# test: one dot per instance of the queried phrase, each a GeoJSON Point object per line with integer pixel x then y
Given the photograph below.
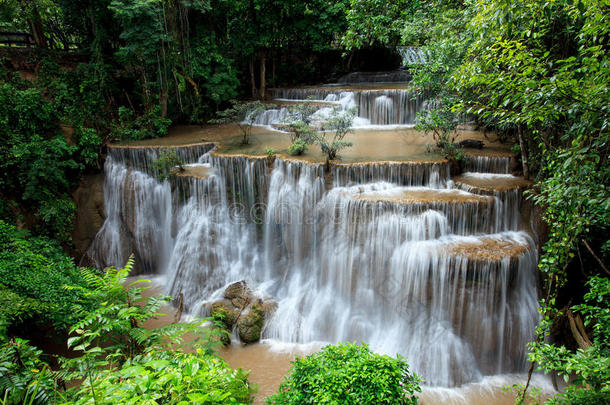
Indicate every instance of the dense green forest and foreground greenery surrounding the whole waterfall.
{"type": "Point", "coordinates": [536, 73]}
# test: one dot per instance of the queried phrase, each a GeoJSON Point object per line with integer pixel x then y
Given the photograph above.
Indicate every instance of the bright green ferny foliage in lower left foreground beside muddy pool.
{"type": "Point", "coordinates": [124, 362]}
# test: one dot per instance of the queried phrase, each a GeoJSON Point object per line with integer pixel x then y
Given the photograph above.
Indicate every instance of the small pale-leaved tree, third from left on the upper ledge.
{"type": "Point", "coordinates": [339, 125]}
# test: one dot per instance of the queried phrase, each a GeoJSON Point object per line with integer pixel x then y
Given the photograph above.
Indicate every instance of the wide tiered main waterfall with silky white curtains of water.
{"type": "Point", "coordinates": [395, 254]}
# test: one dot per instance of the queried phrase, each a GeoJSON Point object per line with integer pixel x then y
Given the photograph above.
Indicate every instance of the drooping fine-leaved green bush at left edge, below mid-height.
{"type": "Point", "coordinates": [33, 275]}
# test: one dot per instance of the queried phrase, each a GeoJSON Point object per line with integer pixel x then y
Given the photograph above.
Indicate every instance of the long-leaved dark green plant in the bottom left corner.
{"type": "Point", "coordinates": [24, 377]}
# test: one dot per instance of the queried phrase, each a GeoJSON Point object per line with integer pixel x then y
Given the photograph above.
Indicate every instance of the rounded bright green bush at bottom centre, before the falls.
{"type": "Point", "coordinates": [348, 374]}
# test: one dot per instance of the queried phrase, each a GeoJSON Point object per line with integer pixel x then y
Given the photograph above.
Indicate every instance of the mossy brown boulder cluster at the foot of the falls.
{"type": "Point", "coordinates": [241, 309]}
